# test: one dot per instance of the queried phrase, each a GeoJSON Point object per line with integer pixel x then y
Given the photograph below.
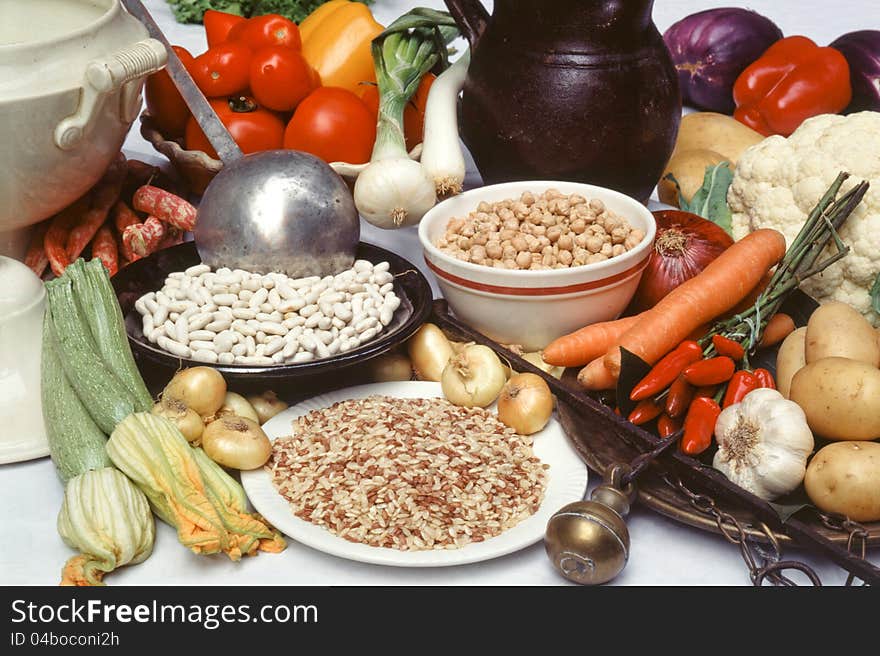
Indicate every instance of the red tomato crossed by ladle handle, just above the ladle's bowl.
{"type": "Point", "coordinates": [253, 128]}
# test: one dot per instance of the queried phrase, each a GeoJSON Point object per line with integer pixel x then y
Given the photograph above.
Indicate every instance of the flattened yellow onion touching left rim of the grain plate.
{"type": "Point", "coordinates": [236, 442]}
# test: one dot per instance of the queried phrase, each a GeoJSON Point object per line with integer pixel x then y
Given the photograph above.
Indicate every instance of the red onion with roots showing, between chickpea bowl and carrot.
{"type": "Point", "coordinates": [684, 245]}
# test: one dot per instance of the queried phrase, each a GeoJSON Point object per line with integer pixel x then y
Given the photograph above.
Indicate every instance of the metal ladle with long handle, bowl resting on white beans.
{"type": "Point", "coordinates": [278, 210]}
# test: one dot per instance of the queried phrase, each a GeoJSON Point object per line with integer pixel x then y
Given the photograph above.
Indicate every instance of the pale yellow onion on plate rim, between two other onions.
{"type": "Point", "coordinates": [473, 377]}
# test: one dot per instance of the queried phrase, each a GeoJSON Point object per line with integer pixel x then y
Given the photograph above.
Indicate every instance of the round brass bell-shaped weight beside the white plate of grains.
{"type": "Point", "coordinates": [587, 541]}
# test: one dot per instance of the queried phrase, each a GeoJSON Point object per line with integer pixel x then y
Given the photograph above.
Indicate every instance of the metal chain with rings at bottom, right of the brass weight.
{"type": "Point", "coordinates": [771, 565]}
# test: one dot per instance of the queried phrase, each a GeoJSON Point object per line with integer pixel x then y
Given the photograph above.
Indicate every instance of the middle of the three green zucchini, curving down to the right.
{"type": "Point", "coordinates": [107, 400]}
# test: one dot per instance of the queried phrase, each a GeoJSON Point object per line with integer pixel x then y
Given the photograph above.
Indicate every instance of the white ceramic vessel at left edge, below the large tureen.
{"type": "Point", "coordinates": [22, 303]}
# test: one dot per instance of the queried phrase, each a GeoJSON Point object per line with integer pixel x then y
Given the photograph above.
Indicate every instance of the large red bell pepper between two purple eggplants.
{"type": "Point", "coordinates": [792, 81]}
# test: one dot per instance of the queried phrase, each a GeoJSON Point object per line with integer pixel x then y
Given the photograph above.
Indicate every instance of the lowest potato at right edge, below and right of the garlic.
{"type": "Point", "coordinates": [845, 478]}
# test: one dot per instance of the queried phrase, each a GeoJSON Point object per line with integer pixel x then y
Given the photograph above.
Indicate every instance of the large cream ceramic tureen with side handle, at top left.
{"type": "Point", "coordinates": [71, 74]}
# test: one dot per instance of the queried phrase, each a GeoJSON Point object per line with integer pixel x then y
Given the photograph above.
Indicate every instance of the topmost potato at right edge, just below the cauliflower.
{"type": "Point", "coordinates": [837, 330]}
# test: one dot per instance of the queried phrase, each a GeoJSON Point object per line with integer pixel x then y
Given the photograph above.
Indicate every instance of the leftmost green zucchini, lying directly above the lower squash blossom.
{"type": "Point", "coordinates": [76, 444]}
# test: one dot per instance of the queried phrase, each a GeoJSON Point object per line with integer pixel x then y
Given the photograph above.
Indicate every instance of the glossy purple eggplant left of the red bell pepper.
{"type": "Point", "coordinates": [711, 48]}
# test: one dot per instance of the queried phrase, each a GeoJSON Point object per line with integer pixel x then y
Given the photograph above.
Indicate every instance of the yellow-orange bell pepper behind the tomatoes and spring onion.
{"type": "Point", "coordinates": [336, 42]}
